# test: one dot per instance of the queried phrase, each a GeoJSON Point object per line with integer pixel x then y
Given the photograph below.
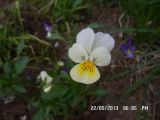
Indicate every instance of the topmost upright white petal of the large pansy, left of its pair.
{"type": "Point", "coordinates": [86, 38]}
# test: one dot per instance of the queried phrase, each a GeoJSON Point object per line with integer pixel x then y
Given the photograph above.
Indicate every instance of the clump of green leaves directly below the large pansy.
{"type": "Point", "coordinates": [64, 96]}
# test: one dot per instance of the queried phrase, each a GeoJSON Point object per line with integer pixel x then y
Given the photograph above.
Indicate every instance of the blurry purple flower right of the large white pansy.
{"type": "Point", "coordinates": [128, 48]}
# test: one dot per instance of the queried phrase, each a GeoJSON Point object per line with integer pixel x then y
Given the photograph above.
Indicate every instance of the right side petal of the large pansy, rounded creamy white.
{"type": "Point", "coordinates": [100, 56]}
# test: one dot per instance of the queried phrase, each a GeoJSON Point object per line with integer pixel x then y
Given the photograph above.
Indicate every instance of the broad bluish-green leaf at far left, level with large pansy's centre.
{"type": "Point", "coordinates": [21, 63]}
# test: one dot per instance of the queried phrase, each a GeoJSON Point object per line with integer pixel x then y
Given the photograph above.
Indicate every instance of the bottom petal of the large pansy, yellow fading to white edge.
{"type": "Point", "coordinates": [80, 75]}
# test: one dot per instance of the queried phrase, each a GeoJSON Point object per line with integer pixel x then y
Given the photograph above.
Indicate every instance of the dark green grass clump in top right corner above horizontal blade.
{"type": "Point", "coordinates": [143, 11]}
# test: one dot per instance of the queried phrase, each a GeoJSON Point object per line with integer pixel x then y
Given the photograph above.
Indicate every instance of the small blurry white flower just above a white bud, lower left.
{"type": "Point", "coordinates": [45, 77]}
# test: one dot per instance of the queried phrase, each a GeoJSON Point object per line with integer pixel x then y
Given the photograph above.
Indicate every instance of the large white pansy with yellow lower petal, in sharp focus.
{"type": "Point", "coordinates": [90, 50]}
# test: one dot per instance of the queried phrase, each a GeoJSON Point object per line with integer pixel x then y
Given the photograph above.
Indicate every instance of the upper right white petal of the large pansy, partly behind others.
{"type": "Point", "coordinates": [103, 40]}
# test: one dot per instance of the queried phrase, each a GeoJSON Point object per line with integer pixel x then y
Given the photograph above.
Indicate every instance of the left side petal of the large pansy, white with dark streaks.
{"type": "Point", "coordinates": [77, 53]}
